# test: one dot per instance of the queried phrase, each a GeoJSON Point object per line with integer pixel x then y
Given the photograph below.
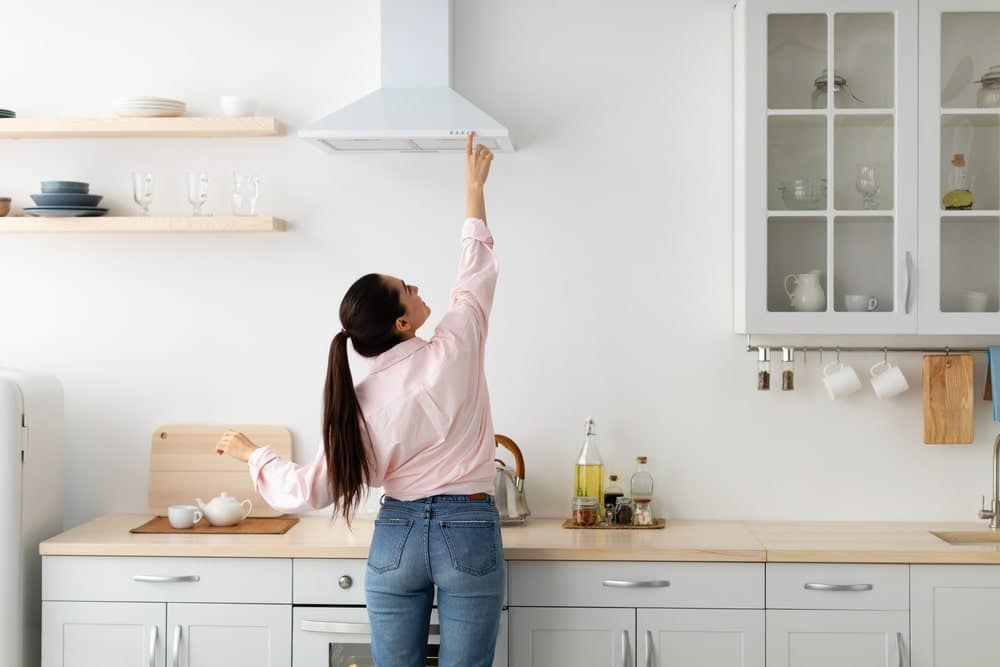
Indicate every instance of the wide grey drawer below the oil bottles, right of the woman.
{"type": "Point", "coordinates": [631, 584]}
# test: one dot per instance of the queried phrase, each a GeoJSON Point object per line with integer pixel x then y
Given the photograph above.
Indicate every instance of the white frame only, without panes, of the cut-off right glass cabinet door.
{"type": "Point", "coordinates": [932, 319]}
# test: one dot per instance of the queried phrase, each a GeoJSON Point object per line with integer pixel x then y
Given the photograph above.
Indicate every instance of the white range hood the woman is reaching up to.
{"type": "Point", "coordinates": [416, 109]}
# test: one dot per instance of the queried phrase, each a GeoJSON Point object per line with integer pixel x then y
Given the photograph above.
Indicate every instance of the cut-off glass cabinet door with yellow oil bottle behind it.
{"type": "Point", "coordinates": [960, 166]}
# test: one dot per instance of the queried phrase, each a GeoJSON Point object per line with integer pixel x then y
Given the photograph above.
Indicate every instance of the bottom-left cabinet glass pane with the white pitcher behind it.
{"type": "Point", "coordinates": [796, 248]}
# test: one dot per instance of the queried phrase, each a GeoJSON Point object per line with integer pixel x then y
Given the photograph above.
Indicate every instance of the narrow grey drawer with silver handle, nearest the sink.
{"type": "Point", "coordinates": [837, 586]}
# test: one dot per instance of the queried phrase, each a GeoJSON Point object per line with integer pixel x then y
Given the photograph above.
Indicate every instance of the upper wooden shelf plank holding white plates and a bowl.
{"type": "Point", "coordinates": [183, 126]}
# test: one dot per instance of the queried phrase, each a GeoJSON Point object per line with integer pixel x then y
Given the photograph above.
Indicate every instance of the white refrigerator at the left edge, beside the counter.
{"type": "Point", "coordinates": [31, 505]}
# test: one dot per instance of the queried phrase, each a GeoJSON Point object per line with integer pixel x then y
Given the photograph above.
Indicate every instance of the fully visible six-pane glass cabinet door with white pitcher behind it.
{"type": "Point", "coordinates": [830, 130]}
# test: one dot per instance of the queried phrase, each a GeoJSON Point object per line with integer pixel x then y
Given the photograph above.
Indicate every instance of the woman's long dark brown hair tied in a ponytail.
{"type": "Point", "coordinates": [368, 314]}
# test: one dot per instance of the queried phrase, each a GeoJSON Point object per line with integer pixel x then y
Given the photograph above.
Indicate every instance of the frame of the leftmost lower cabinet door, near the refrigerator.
{"type": "Point", "coordinates": [152, 616]}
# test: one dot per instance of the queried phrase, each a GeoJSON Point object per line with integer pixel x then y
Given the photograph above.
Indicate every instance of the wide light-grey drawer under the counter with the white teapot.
{"type": "Point", "coordinates": [127, 579]}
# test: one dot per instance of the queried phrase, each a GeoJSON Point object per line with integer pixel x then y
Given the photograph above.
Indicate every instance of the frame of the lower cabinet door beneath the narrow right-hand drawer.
{"type": "Point", "coordinates": [894, 624]}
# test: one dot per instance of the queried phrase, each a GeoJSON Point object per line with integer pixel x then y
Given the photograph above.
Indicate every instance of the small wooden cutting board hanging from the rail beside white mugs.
{"type": "Point", "coordinates": [948, 402]}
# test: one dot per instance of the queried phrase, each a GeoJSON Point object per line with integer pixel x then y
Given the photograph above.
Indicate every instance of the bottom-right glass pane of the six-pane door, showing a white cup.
{"type": "Point", "coordinates": [863, 264]}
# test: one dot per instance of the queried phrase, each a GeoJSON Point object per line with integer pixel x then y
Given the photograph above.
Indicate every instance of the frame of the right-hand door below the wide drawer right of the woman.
{"type": "Point", "coordinates": [748, 622]}
